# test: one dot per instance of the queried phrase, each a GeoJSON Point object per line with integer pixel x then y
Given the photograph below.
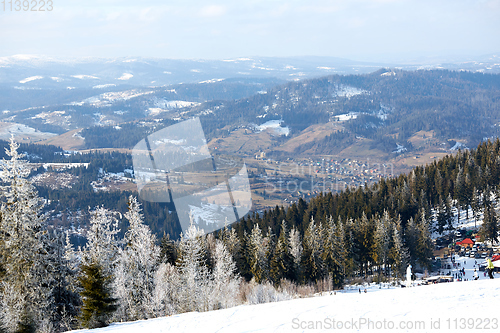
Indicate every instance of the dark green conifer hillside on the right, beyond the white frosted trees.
{"type": "Point", "coordinates": [388, 223]}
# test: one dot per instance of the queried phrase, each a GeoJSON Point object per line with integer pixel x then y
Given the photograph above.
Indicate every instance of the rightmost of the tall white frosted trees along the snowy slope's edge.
{"type": "Point", "coordinates": [225, 284]}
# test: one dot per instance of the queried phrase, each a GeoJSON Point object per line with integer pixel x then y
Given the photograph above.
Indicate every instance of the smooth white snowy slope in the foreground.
{"type": "Point", "coordinates": [450, 304]}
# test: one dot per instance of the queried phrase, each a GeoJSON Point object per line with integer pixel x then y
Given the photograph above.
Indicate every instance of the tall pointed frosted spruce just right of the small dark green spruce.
{"type": "Point", "coordinates": [134, 273]}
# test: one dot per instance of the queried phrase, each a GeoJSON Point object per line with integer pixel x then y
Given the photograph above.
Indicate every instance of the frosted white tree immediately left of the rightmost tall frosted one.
{"type": "Point", "coordinates": [194, 277]}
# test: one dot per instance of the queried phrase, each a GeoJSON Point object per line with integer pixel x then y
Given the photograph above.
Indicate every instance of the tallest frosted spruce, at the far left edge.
{"type": "Point", "coordinates": [23, 258]}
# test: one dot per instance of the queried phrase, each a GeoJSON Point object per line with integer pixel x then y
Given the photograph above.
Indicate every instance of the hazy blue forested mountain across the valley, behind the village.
{"type": "Point", "coordinates": [389, 106]}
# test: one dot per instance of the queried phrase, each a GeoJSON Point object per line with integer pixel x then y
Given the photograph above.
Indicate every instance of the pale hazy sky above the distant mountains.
{"type": "Point", "coordinates": [355, 29]}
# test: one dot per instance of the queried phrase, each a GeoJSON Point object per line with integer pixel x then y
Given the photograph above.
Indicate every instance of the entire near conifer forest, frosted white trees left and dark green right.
{"type": "Point", "coordinates": [371, 232]}
